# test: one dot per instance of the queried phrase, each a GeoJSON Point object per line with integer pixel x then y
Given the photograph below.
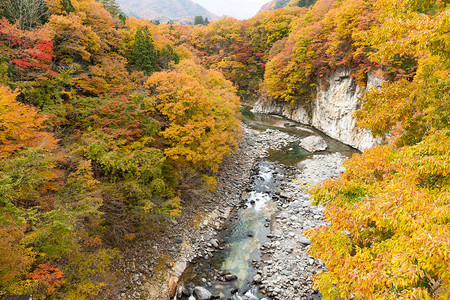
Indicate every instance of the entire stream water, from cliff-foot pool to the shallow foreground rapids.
{"type": "Point", "coordinates": [248, 230]}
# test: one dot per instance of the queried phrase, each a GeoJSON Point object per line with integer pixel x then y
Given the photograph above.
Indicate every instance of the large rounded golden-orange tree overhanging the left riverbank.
{"type": "Point", "coordinates": [201, 107]}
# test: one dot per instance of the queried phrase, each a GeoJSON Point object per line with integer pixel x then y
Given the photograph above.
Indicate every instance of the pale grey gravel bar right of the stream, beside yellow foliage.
{"type": "Point", "coordinates": [285, 270]}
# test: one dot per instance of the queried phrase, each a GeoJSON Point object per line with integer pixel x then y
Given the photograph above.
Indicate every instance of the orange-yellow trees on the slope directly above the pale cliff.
{"type": "Point", "coordinates": [325, 37]}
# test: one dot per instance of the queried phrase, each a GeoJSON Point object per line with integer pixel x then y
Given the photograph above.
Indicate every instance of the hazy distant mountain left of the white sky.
{"type": "Point", "coordinates": [183, 11]}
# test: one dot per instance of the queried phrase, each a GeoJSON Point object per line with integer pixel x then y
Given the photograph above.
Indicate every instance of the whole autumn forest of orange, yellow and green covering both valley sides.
{"type": "Point", "coordinates": [108, 121]}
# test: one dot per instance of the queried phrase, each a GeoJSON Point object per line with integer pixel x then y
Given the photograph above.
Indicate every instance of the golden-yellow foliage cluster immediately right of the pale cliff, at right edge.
{"type": "Point", "coordinates": [411, 107]}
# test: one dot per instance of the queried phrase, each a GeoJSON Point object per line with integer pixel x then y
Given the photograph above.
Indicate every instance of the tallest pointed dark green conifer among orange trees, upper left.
{"type": "Point", "coordinates": [144, 55]}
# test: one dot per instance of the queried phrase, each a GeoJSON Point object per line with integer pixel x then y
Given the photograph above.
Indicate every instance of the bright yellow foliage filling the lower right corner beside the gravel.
{"type": "Point", "coordinates": [398, 231]}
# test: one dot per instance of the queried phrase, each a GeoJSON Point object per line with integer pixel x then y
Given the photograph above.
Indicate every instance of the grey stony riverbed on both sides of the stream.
{"type": "Point", "coordinates": [283, 269]}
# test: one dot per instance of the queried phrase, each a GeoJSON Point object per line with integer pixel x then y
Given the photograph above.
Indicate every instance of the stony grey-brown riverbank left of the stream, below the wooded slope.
{"type": "Point", "coordinates": [152, 268]}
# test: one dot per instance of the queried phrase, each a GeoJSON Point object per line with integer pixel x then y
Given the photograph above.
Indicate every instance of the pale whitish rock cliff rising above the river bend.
{"type": "Point", "coordinates": [331, 109]}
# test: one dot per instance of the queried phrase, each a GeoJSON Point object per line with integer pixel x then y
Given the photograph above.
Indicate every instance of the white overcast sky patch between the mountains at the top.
{"type": "Point", "coordinates": [241, 9]}
